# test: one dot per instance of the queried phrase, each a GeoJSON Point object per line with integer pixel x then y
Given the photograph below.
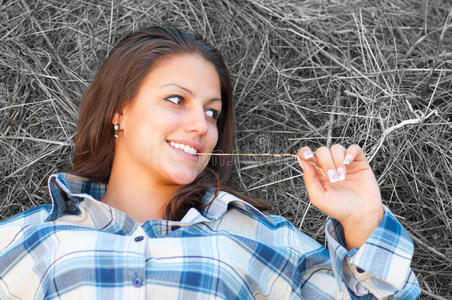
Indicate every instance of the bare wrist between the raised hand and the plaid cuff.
{"type": "Point", "coordinates": [358, 230]}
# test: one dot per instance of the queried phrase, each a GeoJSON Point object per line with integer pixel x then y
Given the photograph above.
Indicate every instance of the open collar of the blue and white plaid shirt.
{"type": "Point", "coordinates": [66, 190]}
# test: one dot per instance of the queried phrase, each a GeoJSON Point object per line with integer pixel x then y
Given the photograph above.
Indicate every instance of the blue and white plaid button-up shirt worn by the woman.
{"type": "Point", "coordinates": [81, 248]}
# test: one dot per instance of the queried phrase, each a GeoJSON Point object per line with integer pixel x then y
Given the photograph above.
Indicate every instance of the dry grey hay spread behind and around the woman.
{"type": "Point", "coordinates": [375, 73]}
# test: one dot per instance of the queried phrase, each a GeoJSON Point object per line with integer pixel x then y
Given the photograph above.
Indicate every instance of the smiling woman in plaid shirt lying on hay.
{"type": "Point", "coordinates": [143, 214]}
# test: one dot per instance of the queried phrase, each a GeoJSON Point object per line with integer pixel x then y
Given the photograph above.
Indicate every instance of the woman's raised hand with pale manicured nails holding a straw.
{"type": "Point", "coordinates": [350, 195]}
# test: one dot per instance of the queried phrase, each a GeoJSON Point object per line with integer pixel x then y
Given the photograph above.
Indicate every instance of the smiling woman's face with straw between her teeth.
{"type": "Point", "coordinates": [176, 106]}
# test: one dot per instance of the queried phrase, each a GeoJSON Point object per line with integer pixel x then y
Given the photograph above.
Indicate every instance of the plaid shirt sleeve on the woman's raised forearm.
{"type": "Point", "coordinates": [380, 268]}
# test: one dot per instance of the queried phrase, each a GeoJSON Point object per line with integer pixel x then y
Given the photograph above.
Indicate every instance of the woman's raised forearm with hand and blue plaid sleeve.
{"type": "Point", "coordinates": [369, 249]}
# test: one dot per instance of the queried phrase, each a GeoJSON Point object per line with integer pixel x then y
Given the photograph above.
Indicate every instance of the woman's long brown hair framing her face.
{"type": "Point", "coordinates": [117, 83]}
